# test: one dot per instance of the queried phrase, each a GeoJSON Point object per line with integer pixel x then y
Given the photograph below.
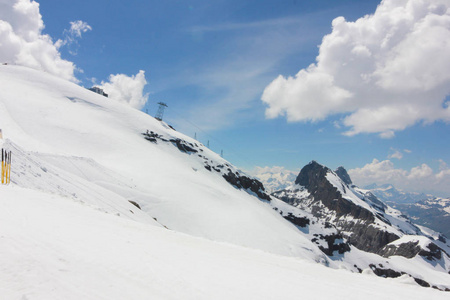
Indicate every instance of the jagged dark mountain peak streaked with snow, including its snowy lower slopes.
{"type": "Point", "coordinates": [367, 224]}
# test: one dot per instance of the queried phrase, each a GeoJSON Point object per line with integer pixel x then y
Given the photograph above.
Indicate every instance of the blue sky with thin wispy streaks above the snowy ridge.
{"type": "Point", "coordinates": [211, 62]}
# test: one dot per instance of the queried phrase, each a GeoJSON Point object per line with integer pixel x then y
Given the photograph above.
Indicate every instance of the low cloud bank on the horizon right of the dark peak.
{"type": "Point", "coordinates": [420, 178]}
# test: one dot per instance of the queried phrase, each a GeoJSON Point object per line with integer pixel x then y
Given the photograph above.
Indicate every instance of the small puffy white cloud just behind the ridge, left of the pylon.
{"type": "Point", "coordinates": [127, 89]}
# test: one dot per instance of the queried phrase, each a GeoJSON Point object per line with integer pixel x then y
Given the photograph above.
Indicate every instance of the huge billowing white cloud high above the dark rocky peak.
{"type": "Point", "coordinates": [383, 72]}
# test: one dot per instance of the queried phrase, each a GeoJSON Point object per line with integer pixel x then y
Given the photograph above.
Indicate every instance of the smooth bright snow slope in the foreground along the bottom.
{"type": "Point", "coordinates": [52, 248]}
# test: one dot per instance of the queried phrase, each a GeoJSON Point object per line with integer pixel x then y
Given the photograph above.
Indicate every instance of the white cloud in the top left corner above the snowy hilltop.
{"type": "Point", "coordinates": [23, 43]}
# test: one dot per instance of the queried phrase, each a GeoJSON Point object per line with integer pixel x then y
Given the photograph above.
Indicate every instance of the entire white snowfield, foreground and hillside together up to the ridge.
{"type": "Point", "coordinates": [69, 229]}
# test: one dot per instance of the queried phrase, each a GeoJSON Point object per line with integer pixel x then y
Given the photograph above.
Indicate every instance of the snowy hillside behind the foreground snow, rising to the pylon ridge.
{"type": "Point", "coordinates": [70, 141]}
